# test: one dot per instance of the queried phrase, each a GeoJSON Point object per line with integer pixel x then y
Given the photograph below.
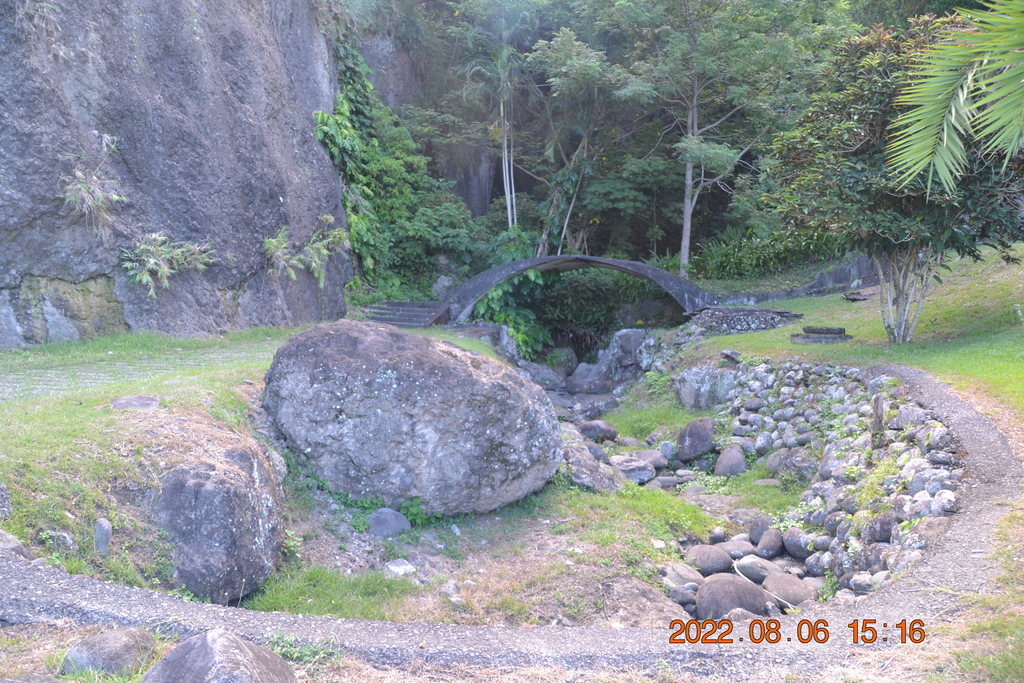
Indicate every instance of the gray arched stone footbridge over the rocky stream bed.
{"type": "Point", "coordinates": [461, 300]}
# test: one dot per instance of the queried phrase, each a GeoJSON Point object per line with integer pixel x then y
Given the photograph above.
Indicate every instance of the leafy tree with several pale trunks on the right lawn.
{"type": "Point", "coordinates": [833, 176]}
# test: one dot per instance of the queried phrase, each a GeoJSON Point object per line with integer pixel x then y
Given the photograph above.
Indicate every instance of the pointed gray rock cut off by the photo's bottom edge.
{"type": "Point", "coordinates": [221, 657]}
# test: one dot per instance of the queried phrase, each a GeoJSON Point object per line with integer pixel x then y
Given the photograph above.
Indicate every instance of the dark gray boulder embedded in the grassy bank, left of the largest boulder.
{"type": "Point", "coordinates": [225, 520]}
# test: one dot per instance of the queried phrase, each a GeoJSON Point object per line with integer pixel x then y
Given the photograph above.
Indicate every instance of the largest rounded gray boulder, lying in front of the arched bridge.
{"type": "Point", "coordinates": [376, 411]}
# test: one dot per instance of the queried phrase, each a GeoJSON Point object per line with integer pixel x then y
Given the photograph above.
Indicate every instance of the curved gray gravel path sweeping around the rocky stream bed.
{"type": "Point", "coordinates": [932, 592]}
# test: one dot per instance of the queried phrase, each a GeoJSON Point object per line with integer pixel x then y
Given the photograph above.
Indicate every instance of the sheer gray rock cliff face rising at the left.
{"type": "Point", "coordinates": [123, 118]}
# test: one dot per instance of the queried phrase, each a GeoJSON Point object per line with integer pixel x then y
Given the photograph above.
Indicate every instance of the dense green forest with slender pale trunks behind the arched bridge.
{"type": "Point", "coordinates": [636, 130]}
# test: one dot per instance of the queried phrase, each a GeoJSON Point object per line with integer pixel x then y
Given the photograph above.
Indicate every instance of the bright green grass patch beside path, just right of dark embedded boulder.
{"type": "Point", "coordinates": [323, 592]}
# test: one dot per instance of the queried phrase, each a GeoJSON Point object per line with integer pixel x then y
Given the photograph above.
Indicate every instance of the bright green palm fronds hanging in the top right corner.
{"type": "Point", "coordinates": [968, 87]}
